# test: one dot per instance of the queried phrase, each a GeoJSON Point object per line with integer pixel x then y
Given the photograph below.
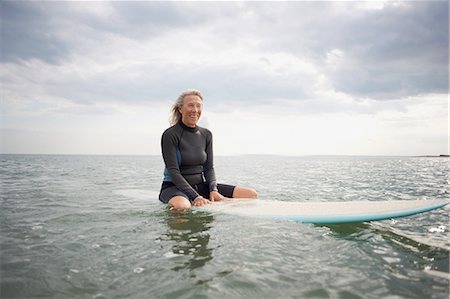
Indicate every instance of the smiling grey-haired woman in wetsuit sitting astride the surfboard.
{"type": "Point", "coordinates": [189, 177]}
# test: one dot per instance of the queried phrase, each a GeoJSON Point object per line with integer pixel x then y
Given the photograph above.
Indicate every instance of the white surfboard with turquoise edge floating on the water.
{"type": "Point", "coordinates": [325, 212]}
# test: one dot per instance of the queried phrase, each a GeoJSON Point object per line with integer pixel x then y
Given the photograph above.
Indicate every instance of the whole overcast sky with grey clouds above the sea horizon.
{"type": "Point", "coordinates": [278, 78]}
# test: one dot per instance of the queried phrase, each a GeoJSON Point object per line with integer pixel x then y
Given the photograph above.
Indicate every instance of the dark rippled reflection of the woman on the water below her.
{"type": "Point", "coordinates": [189, 230]}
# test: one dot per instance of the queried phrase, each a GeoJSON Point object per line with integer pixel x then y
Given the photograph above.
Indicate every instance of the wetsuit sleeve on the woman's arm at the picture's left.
{"type": "Point", "coordinates": [169, 143]}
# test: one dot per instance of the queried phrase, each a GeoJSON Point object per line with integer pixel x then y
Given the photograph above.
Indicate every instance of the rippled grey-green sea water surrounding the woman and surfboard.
{"type": "Point", "coordinates": [92, 227]}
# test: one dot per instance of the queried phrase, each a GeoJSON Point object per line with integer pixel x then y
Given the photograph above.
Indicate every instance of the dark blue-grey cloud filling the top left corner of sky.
{"type": "Point", "coordinates": [39, 29]}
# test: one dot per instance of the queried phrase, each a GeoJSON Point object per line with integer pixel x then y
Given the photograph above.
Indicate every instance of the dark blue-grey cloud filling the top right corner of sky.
{"type": "Point", "coordinates": [389, 53]}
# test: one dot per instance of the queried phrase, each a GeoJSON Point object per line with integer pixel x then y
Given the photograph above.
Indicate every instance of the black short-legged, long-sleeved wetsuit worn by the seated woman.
{"type": "Point", "coordinates": [188, 157]}
